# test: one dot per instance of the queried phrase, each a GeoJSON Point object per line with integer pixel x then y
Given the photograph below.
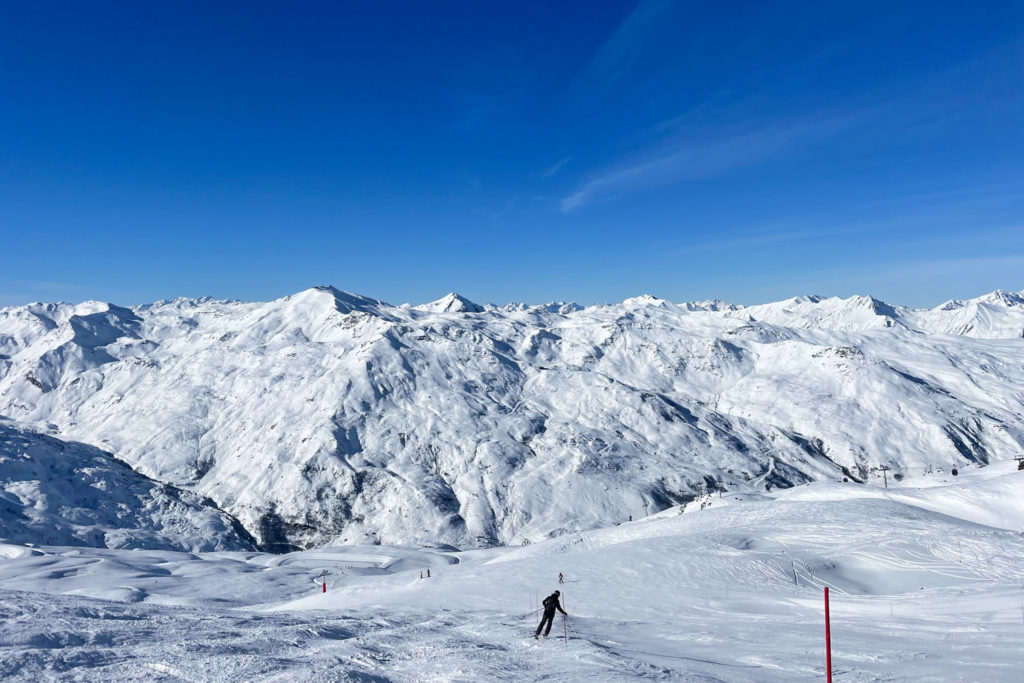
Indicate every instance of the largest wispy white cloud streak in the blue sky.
{"type": "Point", "coordinates": [676, 160]}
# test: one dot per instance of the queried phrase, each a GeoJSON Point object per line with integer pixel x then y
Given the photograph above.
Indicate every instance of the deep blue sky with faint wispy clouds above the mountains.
{"type": "Point", "coordinates": [511, 152]}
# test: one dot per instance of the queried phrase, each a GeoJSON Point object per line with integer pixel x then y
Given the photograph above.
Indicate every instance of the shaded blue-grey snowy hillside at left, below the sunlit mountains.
{"type": "Point", "coordinates": [61, 493]}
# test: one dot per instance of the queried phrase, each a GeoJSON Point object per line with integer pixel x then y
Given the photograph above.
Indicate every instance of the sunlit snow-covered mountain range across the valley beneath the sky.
{"type": "Point", "coordinates": [328, 417]}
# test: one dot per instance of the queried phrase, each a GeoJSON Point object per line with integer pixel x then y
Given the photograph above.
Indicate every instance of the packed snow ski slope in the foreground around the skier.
{"type": "Point", "coordinates": [926, 579]}
